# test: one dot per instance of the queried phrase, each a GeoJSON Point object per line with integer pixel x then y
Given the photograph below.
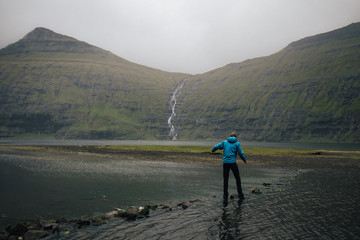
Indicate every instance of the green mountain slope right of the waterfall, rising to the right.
{"type": "Point", "coordinates": [309, 91]}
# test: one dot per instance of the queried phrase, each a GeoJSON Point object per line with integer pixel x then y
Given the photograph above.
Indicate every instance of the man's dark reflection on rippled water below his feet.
{"type": "Point", "coordinates": [230, 224]}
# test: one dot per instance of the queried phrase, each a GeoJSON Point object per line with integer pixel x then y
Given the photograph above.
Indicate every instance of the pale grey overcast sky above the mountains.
{"type": "Point", "coordinates": [192, 36]}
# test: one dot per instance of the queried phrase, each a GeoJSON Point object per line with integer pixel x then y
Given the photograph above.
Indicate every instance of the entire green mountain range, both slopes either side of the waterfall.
{"type": "Point", "coordinates": [55, 85]}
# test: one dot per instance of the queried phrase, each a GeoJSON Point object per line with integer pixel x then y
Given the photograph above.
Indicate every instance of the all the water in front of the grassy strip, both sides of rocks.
{"type": "Point", "coordinates": [315, 204]}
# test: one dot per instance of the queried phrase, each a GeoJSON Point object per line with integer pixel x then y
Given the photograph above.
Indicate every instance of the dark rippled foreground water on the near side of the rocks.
{"type": "Point", "coordinates": [321, 204]}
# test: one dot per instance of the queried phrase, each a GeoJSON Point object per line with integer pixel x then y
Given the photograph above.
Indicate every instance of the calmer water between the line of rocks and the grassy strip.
{"type": "Point", "coordinates": [49, 185]}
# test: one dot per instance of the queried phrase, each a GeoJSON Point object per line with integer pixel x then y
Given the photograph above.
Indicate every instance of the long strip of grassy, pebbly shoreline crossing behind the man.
{"type": "Point", "coordinates": [266, 157]}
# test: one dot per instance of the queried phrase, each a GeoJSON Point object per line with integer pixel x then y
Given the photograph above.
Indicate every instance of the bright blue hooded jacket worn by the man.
{"type": "Point", "coordinates": [231, 146]}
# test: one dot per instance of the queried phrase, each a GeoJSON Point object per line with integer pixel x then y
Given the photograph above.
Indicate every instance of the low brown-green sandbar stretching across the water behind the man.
{"type": "Point", "coordinates": [323, 159]}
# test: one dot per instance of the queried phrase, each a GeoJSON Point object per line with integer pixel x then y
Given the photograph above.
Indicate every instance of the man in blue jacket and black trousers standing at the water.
{"type": "Point", "coordinates": [231, 146]}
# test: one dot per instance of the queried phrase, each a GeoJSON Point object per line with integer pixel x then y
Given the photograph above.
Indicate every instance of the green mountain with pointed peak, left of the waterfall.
{"type": "Point", "coordinates": [55, 85]}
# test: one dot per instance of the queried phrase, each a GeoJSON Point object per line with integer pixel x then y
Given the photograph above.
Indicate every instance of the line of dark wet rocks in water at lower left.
{"type": "Point", "coordinates": [38, 230]}
